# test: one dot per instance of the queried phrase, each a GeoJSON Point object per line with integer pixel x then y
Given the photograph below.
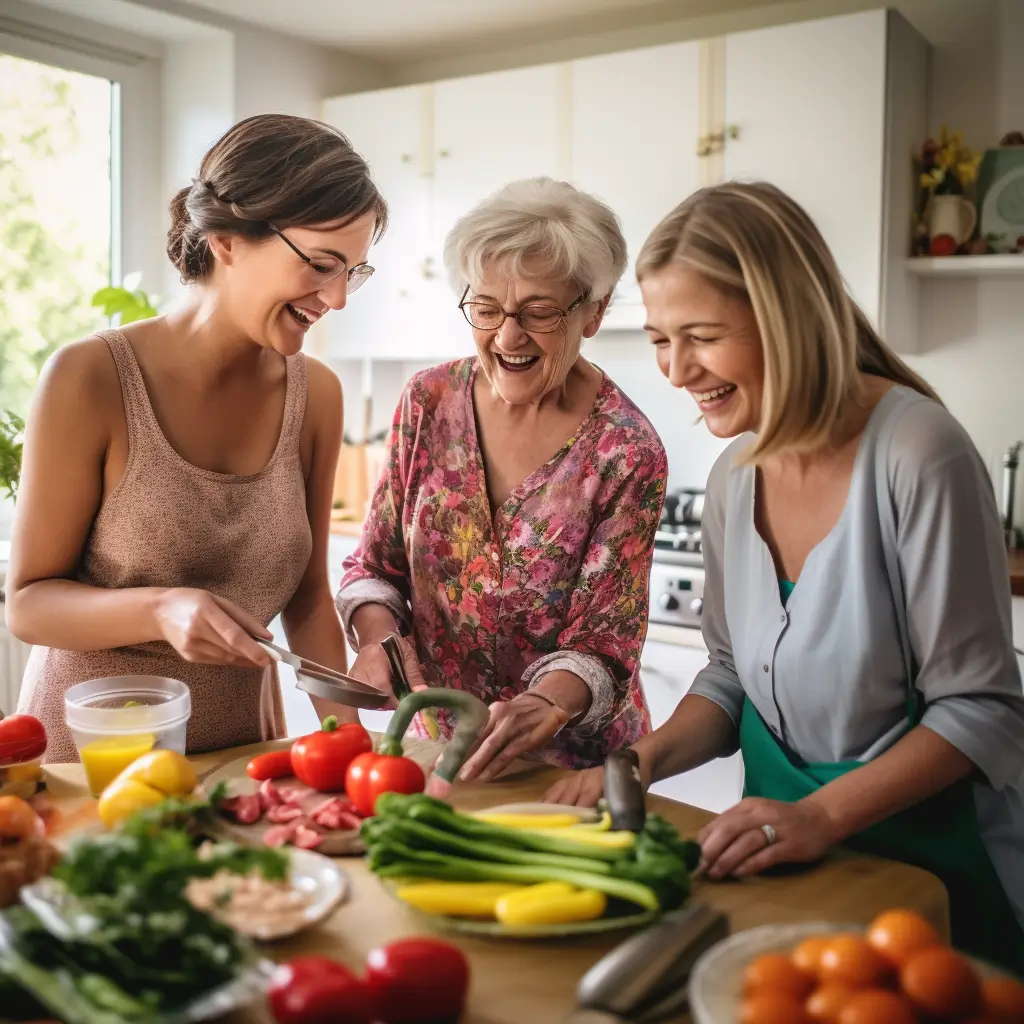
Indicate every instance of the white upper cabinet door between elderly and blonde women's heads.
{"type": "Point", "coordinates": [635, 121]}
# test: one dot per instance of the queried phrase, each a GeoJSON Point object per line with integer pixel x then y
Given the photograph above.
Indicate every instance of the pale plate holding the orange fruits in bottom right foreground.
{"type": "Point", "coordinates": [717, 980]}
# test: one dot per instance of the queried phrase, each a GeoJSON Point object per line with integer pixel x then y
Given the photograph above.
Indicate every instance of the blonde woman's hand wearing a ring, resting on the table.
{"type": "Point", "coordinates": [736, 844]}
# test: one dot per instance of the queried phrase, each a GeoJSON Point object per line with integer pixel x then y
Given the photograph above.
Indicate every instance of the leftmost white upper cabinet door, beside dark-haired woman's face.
{"type": "Point", "coordinates": [389, 130]}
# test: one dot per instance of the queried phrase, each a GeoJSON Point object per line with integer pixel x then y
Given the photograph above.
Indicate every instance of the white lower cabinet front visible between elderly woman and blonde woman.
{"type": "Point", "coordinates": [668, 672]}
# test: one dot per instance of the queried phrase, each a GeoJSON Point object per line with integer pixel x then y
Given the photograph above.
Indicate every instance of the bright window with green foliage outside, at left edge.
{"type": "Point", "coordinates": [56, 209]}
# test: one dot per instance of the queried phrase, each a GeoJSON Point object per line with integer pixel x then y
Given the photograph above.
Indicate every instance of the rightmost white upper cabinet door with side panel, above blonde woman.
{"type": "Point", "coordinates": [830, 111]}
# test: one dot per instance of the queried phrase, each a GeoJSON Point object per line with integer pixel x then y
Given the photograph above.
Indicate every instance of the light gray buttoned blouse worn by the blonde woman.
{"type": "Point", "coordinates": [827, 672]}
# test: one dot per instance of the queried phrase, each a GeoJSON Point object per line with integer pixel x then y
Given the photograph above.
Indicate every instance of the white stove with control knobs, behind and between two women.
{"type": "Point", "coordinates": [677, 574]}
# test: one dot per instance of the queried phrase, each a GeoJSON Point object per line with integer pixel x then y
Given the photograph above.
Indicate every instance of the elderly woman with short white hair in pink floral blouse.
{"type": "Point", "coordinates": [511, 532]}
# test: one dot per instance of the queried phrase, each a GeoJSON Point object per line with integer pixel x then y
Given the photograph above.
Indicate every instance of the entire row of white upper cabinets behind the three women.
{"type": "Point", "coordinates": [828, 110]}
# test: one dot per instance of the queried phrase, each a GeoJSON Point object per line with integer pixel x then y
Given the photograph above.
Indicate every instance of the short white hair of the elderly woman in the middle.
{"type": "Point", "coordinates": [558, 230]}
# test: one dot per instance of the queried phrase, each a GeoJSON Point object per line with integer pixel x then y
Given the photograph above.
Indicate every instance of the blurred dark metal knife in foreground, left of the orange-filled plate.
{"type": "Point", "coordinates": [649, 973]}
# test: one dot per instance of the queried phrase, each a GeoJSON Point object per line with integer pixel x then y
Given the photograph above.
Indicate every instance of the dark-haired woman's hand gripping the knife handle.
{"type": "Point", "coordinates": [210, 630]}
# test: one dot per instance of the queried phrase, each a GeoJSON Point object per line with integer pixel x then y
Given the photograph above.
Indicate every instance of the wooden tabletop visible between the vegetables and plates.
{"type": "Point", "coordinates": [522, 983]}
